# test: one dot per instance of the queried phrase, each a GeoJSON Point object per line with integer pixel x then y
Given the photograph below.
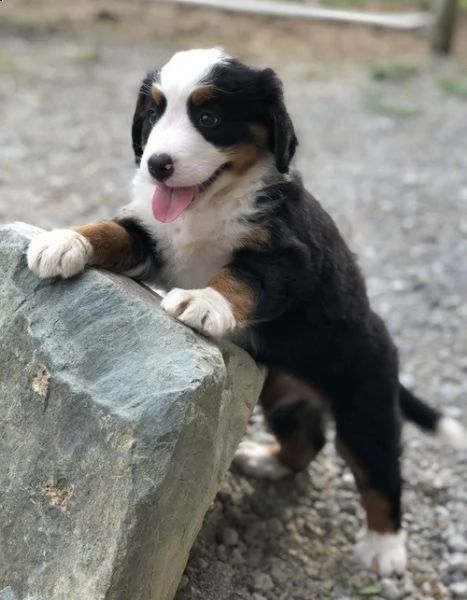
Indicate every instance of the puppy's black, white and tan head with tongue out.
{"type": "Point", "coordinates": [205, 116]}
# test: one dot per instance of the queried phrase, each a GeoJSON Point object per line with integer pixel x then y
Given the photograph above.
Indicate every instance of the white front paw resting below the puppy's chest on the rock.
{"type": "Point", "coordinates": [205, 310]}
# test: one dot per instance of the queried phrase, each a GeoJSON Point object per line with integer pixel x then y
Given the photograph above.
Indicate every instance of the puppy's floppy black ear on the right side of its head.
{"type": "Point", "coordinates": [282, 138]}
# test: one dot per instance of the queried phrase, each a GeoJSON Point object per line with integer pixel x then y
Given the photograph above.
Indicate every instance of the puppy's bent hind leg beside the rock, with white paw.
{"type": "Point", "coordinates": [295, 417]}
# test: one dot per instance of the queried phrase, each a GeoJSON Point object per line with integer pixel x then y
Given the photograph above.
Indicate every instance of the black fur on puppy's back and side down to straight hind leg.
{"type": "Point", "coordinates": [314, 321]}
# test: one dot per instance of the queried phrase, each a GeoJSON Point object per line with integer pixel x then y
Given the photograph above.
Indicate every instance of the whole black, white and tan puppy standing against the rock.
{"type": "Point", "coordinates": [219, 221]}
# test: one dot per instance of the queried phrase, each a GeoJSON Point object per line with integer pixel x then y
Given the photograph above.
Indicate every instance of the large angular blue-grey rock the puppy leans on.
{"type": "Point", "coordinates": [117, 424]}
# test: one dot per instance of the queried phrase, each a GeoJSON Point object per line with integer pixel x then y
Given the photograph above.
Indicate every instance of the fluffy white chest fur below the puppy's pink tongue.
{"type": "Point", "coordinates": [201, 240]}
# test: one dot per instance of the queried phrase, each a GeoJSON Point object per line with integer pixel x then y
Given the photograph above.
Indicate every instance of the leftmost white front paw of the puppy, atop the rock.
{"type": "Point", "coordinates": [58, 253]}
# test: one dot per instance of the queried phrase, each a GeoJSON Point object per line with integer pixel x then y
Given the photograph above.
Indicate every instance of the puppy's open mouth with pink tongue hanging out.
{"type": "Point", "coordinates": [168, 203]}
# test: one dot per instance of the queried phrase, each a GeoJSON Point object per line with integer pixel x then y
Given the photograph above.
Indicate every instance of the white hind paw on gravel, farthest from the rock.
{"type": "Point", "coordinates": [384, 550]}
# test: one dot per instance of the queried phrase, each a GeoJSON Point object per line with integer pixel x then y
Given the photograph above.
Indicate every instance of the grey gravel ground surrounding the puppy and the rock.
{"type": "Point", "coordinates": [389, 161]}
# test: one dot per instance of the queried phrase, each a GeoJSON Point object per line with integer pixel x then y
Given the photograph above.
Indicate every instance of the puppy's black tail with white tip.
{"type": "Point", "coordinates": [431, 420]}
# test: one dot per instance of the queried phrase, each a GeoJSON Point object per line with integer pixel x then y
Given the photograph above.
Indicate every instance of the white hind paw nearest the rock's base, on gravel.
{"type": "Point", "coordinates": [258, 460]}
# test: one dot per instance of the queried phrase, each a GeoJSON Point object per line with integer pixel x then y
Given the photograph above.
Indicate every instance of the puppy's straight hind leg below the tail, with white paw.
{"type": "Point", "coordinates": [368, 427]}
